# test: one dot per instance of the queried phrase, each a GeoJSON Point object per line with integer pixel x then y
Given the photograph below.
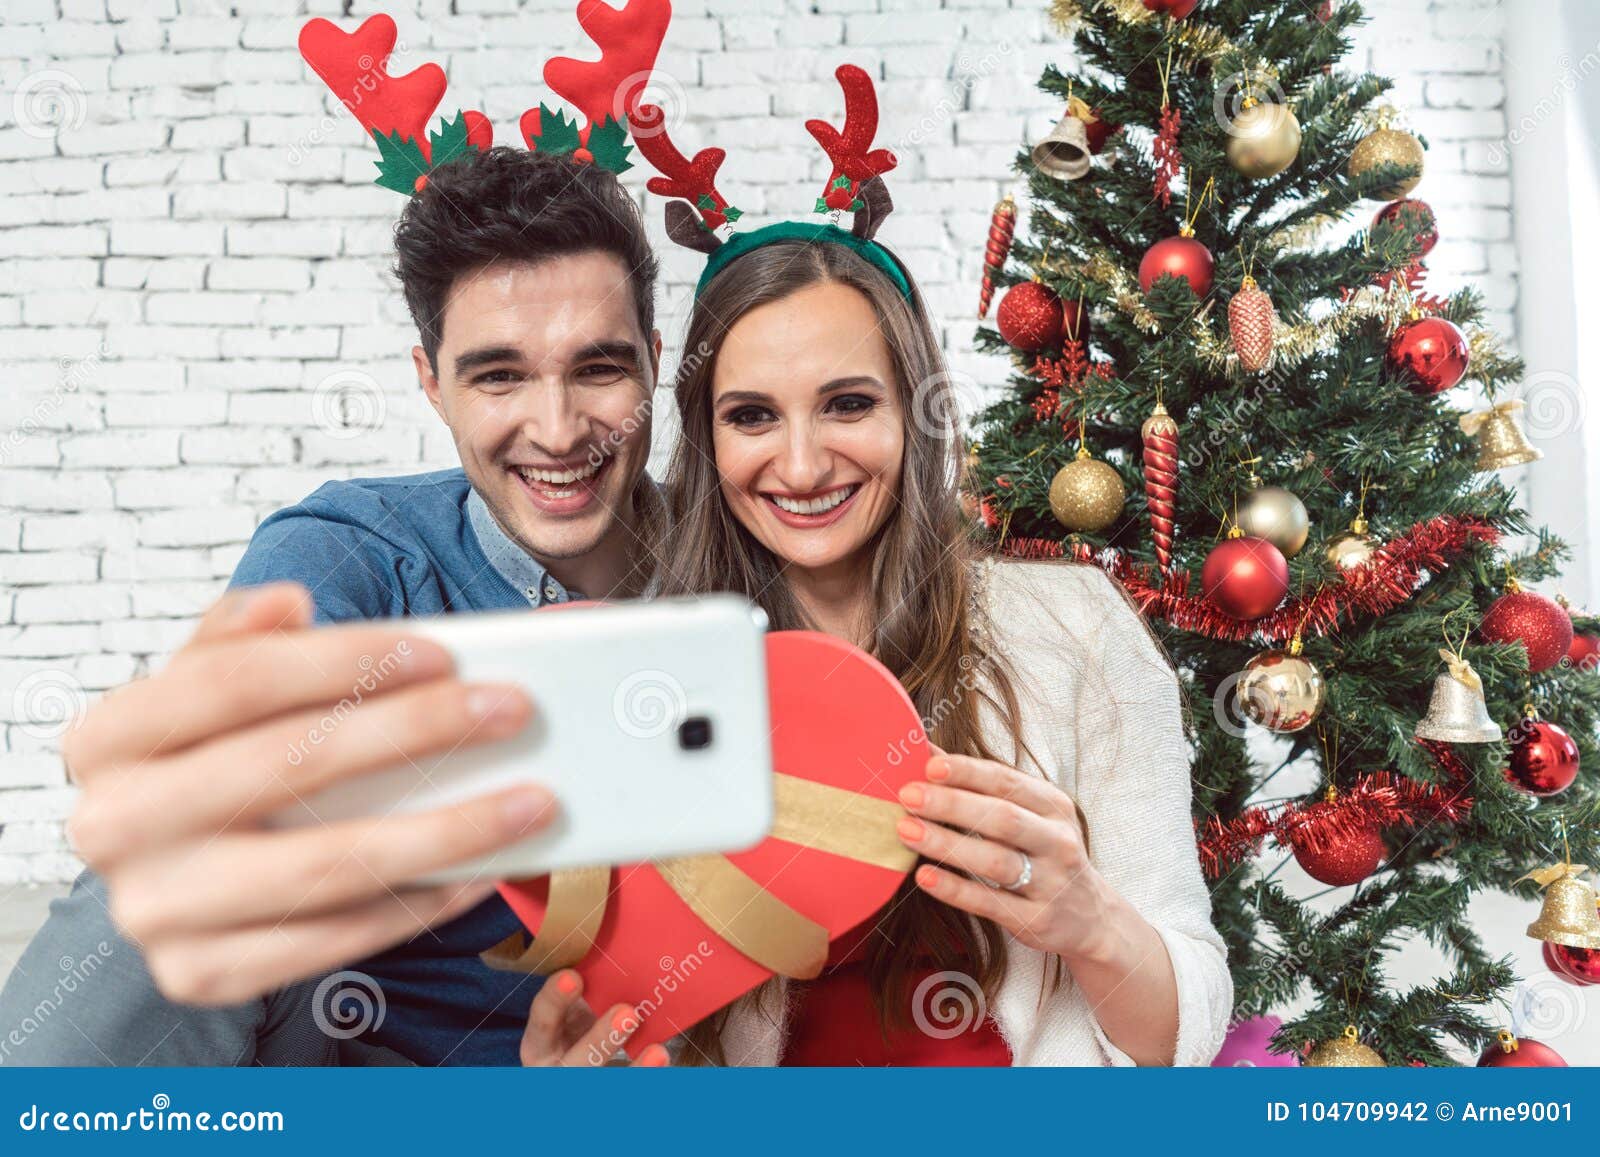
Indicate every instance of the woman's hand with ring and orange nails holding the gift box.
{"type": "Point", "coordinates": [1004, 827]}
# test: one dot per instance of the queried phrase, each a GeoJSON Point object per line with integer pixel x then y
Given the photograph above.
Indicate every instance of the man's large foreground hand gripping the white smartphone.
{"type": "Point", "coordinates": [255, 713]}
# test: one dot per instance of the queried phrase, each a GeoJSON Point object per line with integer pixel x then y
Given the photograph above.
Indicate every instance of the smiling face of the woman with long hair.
{"type": "Point", "coordinates": [809, 425]}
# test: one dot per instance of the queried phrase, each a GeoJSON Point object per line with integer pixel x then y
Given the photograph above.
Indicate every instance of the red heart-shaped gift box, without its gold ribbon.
{"type": "Point", "coordinates": [839, 719]}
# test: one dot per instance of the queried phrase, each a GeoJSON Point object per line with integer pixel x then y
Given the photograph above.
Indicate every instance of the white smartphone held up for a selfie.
{"type": "Point", "coordinates": [650, 727]}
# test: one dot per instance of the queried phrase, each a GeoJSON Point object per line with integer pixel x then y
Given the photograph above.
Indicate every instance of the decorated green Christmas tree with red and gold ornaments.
{"type": "Point", "coordinates": [1258, 431]}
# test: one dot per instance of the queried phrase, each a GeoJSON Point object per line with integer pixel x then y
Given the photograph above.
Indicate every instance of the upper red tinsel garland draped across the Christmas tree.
{"type": "Point", "coordinates": [1386, 582]}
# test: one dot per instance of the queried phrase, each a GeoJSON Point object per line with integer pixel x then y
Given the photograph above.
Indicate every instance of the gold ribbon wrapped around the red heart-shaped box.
{"type": "Point", "coordinates": [732, 905]}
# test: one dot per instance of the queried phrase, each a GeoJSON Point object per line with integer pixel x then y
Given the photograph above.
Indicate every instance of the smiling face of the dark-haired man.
{"type": "Point", "coordinates": [545, 380]}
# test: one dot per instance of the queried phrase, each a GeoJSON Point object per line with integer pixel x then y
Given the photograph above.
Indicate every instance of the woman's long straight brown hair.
{"type": "Point", "coordinates": [922, 614]}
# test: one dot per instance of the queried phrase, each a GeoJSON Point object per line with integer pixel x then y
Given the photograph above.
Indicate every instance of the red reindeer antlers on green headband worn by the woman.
{"type": "Point", "coordinates": [855, 185]}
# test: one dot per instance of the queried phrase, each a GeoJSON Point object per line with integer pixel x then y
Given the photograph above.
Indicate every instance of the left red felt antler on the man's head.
{"type": "Point", "coordinates": [353, 66]}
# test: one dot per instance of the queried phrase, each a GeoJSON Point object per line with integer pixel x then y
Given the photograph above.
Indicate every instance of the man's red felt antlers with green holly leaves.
{"type": "Point", "coordinates": [398, 110]}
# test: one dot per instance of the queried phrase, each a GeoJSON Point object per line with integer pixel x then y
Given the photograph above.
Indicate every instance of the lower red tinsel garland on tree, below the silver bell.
{"type": "Point", "coordinates": [1378, 801]}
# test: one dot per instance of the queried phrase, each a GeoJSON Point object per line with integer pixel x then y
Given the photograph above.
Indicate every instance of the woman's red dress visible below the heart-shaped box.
{"type": "Point", "coordinates": [838, 1025]}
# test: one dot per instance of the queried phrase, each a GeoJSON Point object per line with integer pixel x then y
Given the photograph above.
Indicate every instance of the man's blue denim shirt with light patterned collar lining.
{"type": "Point", "coordinates": [418, 545]}
